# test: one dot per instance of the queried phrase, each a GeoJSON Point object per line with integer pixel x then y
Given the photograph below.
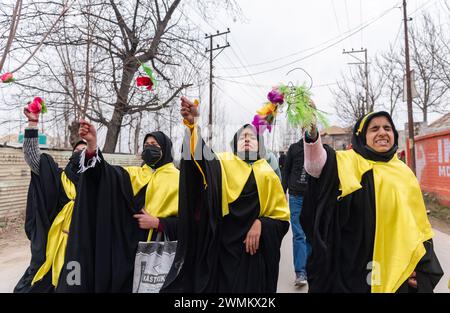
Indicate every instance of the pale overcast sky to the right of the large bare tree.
{"type": "Point", "coordinates": [276, 35]}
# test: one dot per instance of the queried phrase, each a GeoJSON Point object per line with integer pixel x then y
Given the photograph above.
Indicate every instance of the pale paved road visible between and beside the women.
{"type": "Point", "coordinates": [15, 255]}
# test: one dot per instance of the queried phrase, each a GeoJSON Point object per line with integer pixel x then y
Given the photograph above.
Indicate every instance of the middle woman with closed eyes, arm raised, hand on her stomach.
{"type": "Point", "coordinates": [233, 216]}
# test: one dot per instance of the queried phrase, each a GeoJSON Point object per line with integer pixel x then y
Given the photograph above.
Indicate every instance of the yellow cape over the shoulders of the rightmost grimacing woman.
{"type": "Point", "coordinates": [401, 220]}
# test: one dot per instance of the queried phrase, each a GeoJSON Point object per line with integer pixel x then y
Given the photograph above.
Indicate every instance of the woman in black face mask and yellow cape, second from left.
{"type": "Point", "coordinates": [111, 214]}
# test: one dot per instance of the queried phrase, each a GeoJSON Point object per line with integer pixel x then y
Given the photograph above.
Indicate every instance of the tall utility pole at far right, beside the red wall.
{"type": "Point", "coordinates": [412, 152]}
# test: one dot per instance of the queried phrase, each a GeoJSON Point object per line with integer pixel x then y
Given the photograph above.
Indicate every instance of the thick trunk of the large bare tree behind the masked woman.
{"type": "Point", "coordinates": [120, 108]}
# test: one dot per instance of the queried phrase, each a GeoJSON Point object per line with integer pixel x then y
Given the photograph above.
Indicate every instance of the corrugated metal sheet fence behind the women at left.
{"type": "Point", "coordinates": [15, 176]}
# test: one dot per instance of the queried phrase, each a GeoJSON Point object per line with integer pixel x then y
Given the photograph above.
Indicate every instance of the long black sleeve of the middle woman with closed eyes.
{"type": "Point", "coordinates": [199, 223]}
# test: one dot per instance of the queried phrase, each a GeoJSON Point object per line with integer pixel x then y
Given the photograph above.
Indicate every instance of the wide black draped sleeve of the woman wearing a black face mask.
{"type": "Point", "coordinates": [104, 235]}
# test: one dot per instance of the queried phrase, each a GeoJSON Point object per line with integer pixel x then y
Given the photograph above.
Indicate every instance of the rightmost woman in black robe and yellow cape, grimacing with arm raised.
{"type": "Point", "coordinates": [365, 217]}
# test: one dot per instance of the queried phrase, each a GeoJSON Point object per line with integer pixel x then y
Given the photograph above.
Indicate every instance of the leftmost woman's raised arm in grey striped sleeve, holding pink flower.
{"type": "Point", "coordinates": [32, 153]}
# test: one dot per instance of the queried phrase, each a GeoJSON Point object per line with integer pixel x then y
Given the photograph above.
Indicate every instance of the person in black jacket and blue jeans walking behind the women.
{"type": "Point", "coordinates": [294, 179]}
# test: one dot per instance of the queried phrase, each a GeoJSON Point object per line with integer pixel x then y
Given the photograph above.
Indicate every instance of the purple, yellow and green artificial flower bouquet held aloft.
{"type": "Point", "coordinates": [299, 111]}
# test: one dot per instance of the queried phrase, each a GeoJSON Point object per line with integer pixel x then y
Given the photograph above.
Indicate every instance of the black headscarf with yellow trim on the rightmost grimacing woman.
{"type": "Point", "coordinates": [359, 143]}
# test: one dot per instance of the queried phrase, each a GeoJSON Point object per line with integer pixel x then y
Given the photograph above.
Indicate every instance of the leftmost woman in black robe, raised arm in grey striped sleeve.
{"type": "Point", "coordinates": [46, 198]}
